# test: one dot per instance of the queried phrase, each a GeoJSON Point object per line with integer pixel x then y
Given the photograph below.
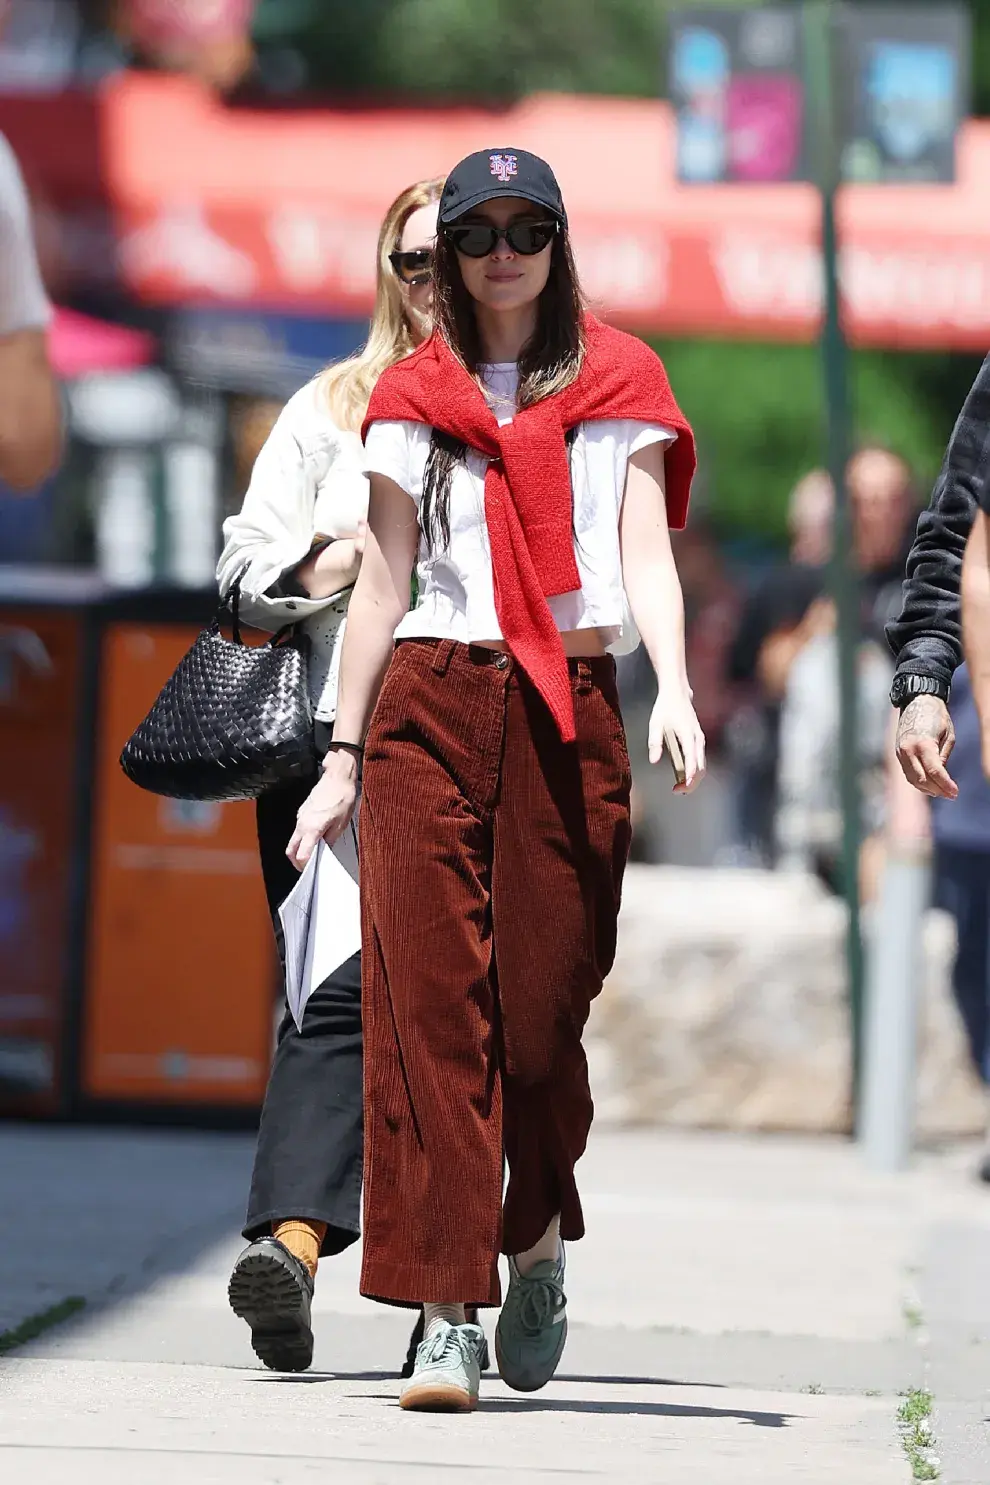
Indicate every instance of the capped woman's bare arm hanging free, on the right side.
{"type": "Point", "coordinates": [658, 608]}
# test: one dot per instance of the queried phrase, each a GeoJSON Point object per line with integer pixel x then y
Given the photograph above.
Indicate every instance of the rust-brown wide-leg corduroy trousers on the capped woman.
{"type": "Point", "coordinates": [492, 859]}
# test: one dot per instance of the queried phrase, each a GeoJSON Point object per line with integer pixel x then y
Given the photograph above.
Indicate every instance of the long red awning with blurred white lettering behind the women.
{"type": "Point", "coordinates": [283, 209]}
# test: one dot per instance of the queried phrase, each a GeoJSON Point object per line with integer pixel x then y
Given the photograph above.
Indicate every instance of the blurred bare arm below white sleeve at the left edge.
{"type": "Point", "coordinates": [30, 414]}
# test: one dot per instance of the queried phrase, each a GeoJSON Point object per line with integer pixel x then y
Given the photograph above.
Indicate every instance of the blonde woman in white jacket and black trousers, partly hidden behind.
{"type": "Point", "coordinates": [296, 550]}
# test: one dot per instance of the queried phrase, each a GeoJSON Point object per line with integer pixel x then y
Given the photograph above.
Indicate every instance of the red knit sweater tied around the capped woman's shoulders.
{"type": "Point", "coordinates": [529, 500]}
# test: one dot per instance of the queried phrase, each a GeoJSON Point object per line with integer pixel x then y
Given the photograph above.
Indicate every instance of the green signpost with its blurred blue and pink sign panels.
{"type": "Point", "coordinates": [827, 93]}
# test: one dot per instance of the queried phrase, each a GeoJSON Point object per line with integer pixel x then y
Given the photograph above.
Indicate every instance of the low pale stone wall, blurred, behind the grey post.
{"type": "Point", "coordinates": [728, 1009]}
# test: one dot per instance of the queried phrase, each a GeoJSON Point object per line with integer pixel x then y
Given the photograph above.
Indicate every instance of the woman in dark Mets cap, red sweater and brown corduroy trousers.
{"type": "Point", "coordinates": [525, 454]}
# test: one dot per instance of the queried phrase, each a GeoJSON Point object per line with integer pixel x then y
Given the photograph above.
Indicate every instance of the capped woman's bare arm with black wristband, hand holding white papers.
{"type": "Point", "coordinates": [381, 599]}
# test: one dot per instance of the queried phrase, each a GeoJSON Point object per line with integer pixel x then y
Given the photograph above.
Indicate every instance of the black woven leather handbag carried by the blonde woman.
{"type": "Point", "coordinates": [232, 722]}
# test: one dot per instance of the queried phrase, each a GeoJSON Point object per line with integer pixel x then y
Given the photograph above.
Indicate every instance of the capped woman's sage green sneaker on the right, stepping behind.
{"type": "Point", "coordinates": [532, 1327]}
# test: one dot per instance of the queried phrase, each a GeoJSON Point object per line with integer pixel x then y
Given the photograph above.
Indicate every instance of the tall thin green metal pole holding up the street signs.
{"type": "Point", "coordinates": [820, 30]}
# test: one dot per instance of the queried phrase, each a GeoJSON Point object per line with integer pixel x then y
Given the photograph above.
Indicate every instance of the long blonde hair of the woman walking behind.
{"type": "Point", "coordinates": [350, 385]}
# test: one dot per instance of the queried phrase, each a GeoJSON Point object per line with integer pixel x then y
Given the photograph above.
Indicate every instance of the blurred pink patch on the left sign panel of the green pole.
{"type": "Point", "coordinates": [764, 120]}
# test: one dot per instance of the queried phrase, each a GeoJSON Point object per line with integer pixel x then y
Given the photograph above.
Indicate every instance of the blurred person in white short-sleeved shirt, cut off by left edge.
{"type": "Point", "coordinates": [30, 415]}
